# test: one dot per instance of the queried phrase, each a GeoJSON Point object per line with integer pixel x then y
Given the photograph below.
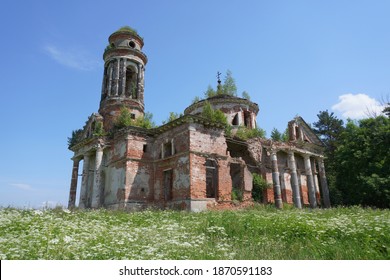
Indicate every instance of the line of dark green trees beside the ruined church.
{"type": "Point", "coordinates": [357, 158]}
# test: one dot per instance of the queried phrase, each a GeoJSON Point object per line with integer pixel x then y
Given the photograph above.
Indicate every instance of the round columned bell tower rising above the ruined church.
{"type": "Point", "coordinates": [123, 77]}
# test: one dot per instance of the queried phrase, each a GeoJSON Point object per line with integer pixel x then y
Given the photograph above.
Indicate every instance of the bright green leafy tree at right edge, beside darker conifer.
{"type": "Point", "coordinates": [363, 163]}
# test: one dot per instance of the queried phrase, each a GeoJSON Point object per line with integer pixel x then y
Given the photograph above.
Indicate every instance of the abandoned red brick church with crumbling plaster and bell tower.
{"type": "Point", "coordinates": [189, 163]}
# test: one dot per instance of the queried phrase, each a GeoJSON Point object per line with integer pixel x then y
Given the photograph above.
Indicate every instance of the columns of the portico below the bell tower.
{"type": "Point", "coordinates": [97, 189]}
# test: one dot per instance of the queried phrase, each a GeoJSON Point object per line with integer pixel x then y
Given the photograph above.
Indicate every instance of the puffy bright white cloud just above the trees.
{"type": "Point", "coordinates": [357, 106]}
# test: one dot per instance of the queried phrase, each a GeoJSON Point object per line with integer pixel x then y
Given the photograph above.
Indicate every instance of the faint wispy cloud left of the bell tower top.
{"type": "Point", "coordinates": [73, 58]}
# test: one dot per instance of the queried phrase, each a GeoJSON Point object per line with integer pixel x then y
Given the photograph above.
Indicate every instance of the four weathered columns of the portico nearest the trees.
{"type": "Point", "coordinates": [295, 183]}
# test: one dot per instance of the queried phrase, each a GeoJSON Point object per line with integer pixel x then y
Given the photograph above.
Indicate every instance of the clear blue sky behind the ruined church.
{"type": "Point", "coordinates": [292, 57]}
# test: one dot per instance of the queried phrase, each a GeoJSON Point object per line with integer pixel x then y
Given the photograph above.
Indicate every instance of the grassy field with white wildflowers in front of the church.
{"type": "Point", "coordinates": [256, 233]}
